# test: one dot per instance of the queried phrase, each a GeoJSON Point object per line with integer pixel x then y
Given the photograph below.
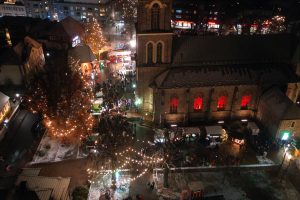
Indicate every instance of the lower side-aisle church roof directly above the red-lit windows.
{"type": "Point", "coordinates": [189, 77]}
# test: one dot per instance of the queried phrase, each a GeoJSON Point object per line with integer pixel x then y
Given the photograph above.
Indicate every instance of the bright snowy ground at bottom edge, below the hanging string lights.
{"type": "Point", "coordinates": [102, 183]}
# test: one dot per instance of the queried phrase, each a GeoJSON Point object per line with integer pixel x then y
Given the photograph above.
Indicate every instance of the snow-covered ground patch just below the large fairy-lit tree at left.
{"type": "Point", "coordinates": [51, 150]}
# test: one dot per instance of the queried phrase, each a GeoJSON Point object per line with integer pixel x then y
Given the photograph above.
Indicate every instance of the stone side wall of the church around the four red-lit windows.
{"type": "Point", "coordinates": [186, 113]}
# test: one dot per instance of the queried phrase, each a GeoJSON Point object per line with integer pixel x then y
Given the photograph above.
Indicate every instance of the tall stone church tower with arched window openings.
{"type": "Point", "coordinates": [154, 46]}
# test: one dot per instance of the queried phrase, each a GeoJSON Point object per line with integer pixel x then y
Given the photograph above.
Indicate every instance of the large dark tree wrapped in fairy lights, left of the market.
{"type": "Point", "coordinates": [63, 97]}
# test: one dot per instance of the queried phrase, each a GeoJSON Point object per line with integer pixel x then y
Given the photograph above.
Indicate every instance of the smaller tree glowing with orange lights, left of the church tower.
{"type": "Point", "coordinates": [95, 38]}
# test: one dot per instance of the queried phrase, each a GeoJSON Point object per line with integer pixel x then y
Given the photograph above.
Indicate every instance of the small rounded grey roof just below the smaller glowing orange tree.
{"type": "Point", "coordinates": [83, 53]}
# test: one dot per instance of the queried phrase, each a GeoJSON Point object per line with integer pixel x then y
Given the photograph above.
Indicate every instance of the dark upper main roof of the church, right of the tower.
{"type": "Point", "coordinates": [233, 49]}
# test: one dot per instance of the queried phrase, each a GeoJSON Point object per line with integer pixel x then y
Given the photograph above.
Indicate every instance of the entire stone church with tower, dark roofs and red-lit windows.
{"type": "Point", "coordinates": [183, 79]}
